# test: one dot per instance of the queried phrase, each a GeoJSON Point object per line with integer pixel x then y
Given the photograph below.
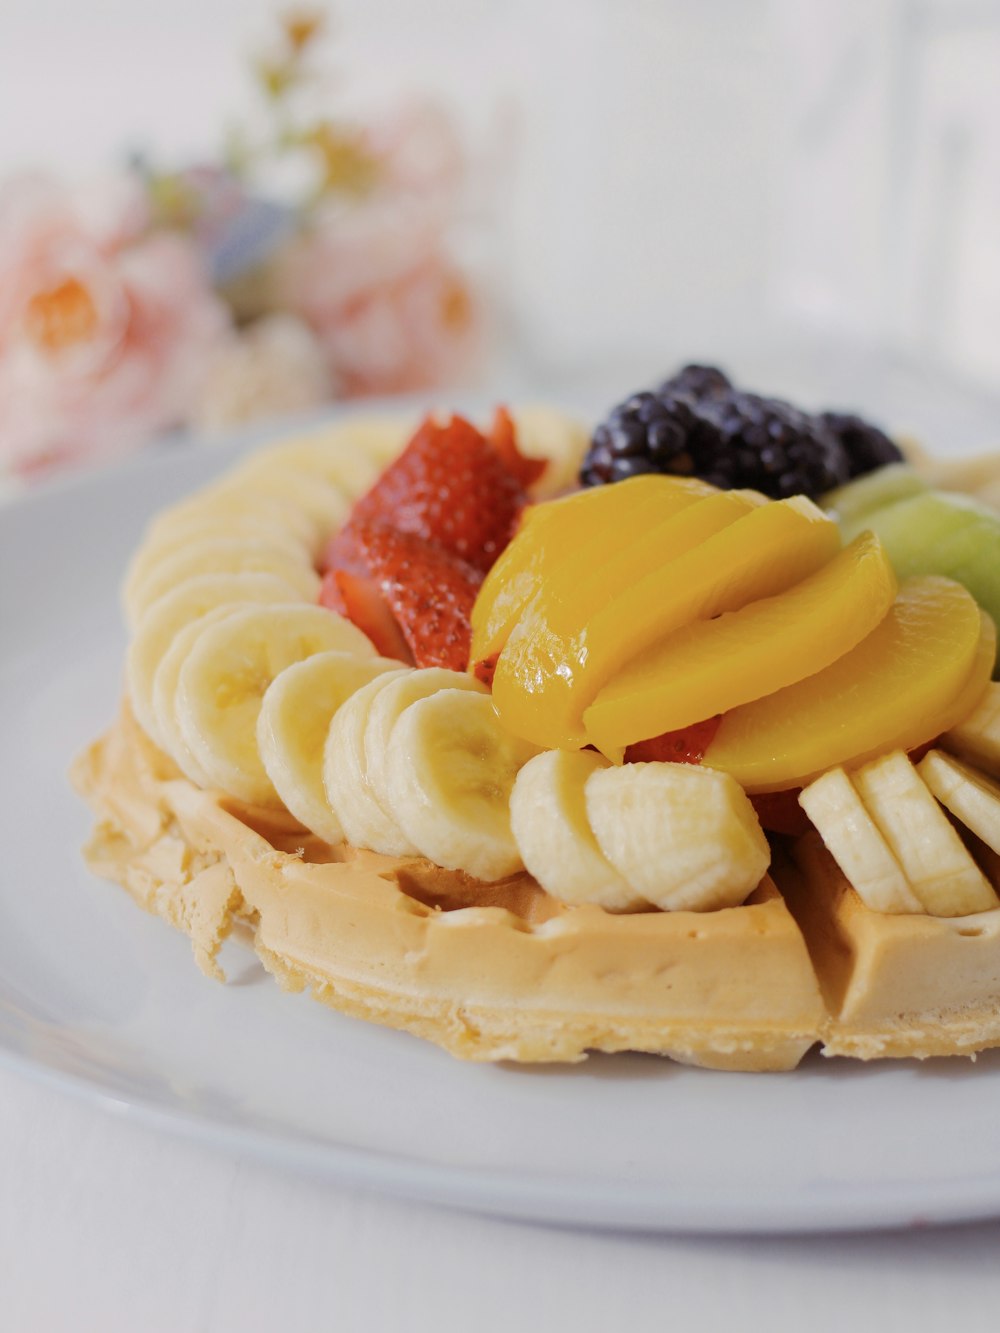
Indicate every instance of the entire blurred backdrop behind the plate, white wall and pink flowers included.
{"type": "Point", "coordinates": [541, 197]}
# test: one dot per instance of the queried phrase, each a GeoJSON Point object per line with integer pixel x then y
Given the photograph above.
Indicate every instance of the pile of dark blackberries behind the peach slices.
{"type": "Point", "coordinates": [699, 425]}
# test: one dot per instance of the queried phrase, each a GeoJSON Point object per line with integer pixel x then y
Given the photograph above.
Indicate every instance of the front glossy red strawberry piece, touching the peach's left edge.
{"type": "Point", "coordinates": [409, 595]}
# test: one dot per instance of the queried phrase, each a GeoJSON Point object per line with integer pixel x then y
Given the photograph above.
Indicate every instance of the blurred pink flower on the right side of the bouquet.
{"type": "Point", "coordinates": [374, 277]}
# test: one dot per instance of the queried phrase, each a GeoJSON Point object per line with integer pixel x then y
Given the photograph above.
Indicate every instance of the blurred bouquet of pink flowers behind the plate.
{"type": "Point", "coordinates": [314, 259]}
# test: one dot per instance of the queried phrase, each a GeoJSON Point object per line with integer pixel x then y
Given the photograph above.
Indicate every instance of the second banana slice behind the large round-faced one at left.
{"type": "Point", "coordinates": [163, 621]}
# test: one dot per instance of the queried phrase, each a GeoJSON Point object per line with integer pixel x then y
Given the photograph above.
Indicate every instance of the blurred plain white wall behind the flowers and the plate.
{"type": "Point", "coordinates": [659, 178]}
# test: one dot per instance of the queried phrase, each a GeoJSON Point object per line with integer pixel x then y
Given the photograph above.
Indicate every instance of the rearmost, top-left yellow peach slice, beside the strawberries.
{"type": "Point", "coordinates": [585, 530]}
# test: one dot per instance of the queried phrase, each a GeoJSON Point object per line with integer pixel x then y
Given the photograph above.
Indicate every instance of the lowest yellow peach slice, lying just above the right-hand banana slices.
{"type": "Point", "coordinates": [915, 676]}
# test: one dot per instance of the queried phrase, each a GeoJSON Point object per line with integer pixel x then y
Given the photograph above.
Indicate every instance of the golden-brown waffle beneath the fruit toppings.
{"type": "Point", "coordinates": [506, 972]}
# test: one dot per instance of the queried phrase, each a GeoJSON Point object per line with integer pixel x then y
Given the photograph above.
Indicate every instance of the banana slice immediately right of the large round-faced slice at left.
{"type": "Point", "coordinates": [293, 728]}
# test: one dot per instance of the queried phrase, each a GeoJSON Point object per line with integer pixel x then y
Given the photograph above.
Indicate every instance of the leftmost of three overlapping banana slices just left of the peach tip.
{"type": "Point", "coordinates": [363, 816]}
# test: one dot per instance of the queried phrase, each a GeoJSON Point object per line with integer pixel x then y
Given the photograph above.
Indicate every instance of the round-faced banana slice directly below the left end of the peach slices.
{"type": "Point", "coordinates": [451, 767]}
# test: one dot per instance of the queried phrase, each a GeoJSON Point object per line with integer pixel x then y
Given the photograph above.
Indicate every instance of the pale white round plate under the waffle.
{"type": "Point", "coordinates": [98, 998]}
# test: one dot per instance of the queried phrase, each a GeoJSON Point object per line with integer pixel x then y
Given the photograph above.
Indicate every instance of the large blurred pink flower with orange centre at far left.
{"type": "Point", "coordinates": [105, 327]}
